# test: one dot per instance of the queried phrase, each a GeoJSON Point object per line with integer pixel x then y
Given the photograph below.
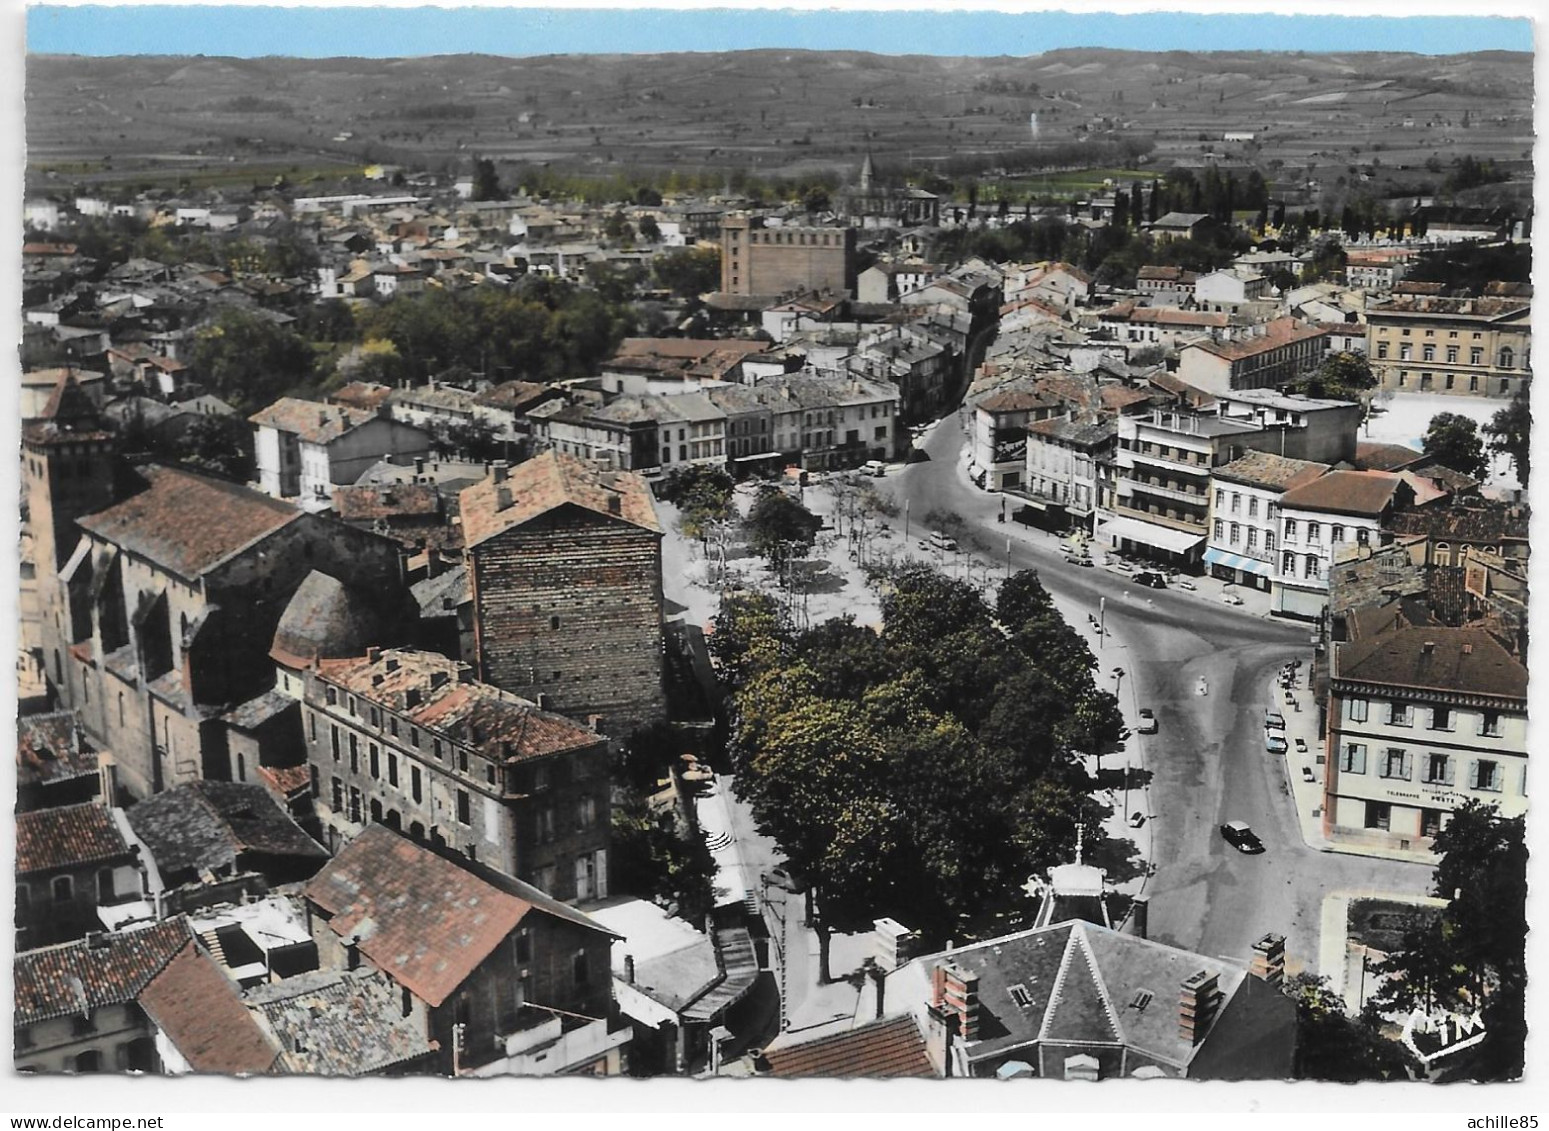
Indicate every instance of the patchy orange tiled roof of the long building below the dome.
{"type": "Point", "coordinates": [500, 724]}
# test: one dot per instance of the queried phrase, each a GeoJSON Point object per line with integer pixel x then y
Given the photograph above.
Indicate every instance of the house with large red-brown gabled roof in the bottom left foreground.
{"type": "Point", "coordinates": [504, 978]}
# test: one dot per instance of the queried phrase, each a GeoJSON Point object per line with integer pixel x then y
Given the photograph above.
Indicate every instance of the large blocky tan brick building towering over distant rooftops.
{"type": "Point", "coordinates": [764, 260]}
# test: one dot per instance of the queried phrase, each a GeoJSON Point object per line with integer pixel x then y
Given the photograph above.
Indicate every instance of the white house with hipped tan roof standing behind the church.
{"type": "Point", "coordinates": [306, 449]}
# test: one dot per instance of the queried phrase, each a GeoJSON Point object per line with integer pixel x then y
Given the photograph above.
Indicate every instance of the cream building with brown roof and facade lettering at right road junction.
{"type": "Point", "coordinates": [1420, 721]}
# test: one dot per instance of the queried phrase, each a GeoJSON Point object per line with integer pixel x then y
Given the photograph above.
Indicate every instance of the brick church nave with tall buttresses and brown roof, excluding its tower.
{"type": "Point", "coordinates": [168, 610]}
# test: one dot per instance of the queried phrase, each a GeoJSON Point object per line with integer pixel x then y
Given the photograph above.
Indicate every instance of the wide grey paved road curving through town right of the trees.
{"type": "Point", "coordinates": [1209, 755]}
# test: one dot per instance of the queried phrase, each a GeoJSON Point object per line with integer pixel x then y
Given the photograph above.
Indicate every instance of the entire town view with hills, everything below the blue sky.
{"type": "Point", "coordinates": [775, 565]}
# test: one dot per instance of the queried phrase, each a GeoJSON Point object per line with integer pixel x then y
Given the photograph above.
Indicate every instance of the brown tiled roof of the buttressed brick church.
{"type": "Point", "coordinates": [188, 523]}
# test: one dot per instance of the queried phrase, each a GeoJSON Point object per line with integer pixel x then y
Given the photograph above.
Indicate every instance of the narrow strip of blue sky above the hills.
{"type": "Point", "coordinates": [518, 32]}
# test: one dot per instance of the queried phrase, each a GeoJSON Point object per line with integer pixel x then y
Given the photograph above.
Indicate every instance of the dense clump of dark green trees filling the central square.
{"type": "Point", "coordinates": [926, 771]}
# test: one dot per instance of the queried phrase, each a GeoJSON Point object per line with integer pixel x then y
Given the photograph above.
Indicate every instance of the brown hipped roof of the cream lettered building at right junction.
{"type": "Point", "coordinates": [1435, 659]}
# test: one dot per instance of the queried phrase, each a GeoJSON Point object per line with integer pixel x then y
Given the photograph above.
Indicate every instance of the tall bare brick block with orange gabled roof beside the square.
{"type": "Point", "coordinates": [565, 565]}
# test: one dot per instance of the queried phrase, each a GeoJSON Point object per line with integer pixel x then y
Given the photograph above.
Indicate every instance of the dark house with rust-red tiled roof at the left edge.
{"type": "Point", "coordinates": [70, 862]}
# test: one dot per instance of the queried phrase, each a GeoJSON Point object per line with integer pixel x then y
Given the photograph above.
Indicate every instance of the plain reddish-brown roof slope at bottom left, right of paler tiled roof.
{"type": "Point", "coordinates": [199, 1009]}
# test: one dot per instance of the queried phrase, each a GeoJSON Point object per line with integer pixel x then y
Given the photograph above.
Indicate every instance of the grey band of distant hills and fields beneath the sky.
{"type": "Point", "coordinates": [772, 112]}
